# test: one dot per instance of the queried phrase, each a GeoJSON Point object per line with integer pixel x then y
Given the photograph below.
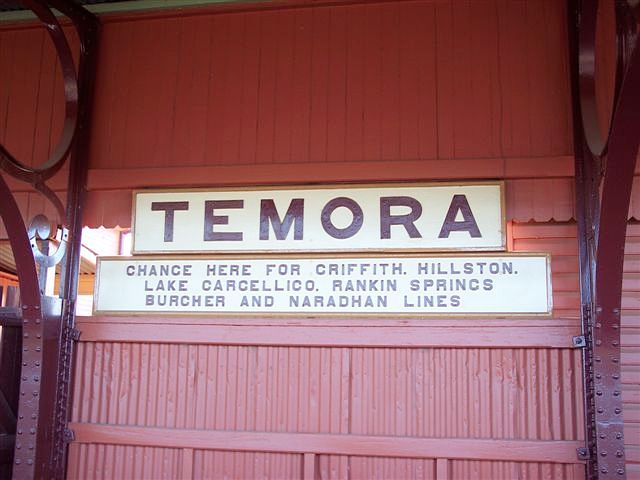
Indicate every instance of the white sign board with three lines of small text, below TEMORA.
{"type": "Point", "coordinates": [415, 285]}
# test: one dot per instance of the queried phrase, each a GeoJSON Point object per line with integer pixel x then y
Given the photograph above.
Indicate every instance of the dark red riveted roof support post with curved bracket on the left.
{"type": "Point", "coordinates": [48, 332]}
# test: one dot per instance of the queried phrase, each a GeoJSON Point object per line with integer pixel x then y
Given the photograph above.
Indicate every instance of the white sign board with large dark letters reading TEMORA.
{"type": "Point", "coordinates": [442, 217]}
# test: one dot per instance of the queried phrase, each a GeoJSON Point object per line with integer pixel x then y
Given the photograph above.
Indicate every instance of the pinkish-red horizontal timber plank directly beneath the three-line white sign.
{"type": "Point", "coordinates": [448, 336]}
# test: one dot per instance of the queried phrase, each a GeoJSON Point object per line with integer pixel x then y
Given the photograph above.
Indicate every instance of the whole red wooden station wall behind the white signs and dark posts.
{"type": "Point", "coordinates": [359, 92]}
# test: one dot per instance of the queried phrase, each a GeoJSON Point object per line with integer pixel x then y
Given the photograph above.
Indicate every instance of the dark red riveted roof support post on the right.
{"type": "Point", "coordinates": [603, 163]}
